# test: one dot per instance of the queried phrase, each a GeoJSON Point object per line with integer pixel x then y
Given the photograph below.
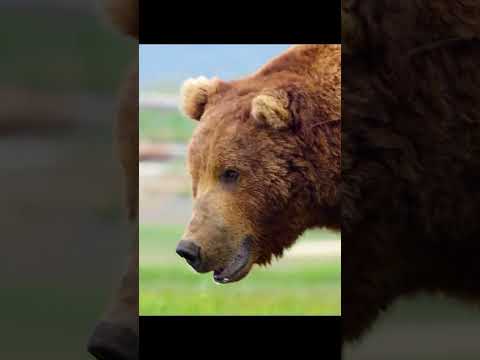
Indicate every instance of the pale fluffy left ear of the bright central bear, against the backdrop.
{"type": "Point", "coordinates": [194, 96]}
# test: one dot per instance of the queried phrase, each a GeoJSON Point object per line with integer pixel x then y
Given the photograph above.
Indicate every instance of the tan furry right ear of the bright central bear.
{"type": "Point", "coordinates": [271, 108]}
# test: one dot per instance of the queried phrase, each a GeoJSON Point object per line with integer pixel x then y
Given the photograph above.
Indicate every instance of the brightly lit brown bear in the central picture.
{"type": "Point", "coordinates": [264, 160]}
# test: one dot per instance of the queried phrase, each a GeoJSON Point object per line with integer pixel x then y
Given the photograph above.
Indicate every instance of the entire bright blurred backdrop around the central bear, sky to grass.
{"type": "Point", "coordinates": [305, 281]}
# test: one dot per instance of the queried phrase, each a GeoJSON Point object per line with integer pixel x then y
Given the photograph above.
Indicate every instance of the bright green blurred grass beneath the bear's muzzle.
{"type": "Point", "coordinates": [290, 286]}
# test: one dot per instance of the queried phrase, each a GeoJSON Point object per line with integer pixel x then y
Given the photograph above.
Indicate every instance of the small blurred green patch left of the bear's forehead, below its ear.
{"type": "Point", "coordinates": [170, 126]}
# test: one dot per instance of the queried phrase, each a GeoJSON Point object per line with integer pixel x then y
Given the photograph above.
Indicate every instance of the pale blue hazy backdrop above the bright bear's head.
{"type": "Point", "coordinates": [164, 67]}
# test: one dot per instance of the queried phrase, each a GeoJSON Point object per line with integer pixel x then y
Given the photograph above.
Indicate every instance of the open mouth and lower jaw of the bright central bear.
{"type": "Point", "coordinates": [238, 267]}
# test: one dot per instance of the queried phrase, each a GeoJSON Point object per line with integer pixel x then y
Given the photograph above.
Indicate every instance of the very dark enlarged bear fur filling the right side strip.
{"type": "Point", "coordinates": [411, 155]}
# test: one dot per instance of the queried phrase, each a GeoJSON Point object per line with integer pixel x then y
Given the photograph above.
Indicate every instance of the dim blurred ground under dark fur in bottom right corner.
{"type": "Point", "coordinates": [422, 327]}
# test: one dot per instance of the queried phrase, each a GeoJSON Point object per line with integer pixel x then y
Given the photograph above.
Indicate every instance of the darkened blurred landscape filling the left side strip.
{"type": "Point", "coordinates": [64, 236]}
